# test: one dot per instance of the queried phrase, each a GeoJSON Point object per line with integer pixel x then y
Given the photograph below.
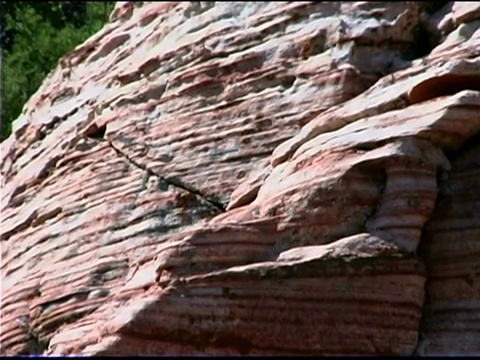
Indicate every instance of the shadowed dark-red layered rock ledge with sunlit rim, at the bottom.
{"type": "Point", "coordinates": [294, 306]}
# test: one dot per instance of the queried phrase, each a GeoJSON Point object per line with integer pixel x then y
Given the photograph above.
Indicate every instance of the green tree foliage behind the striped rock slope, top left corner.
{"type": "Point", "coordinates": [34, 35]}
